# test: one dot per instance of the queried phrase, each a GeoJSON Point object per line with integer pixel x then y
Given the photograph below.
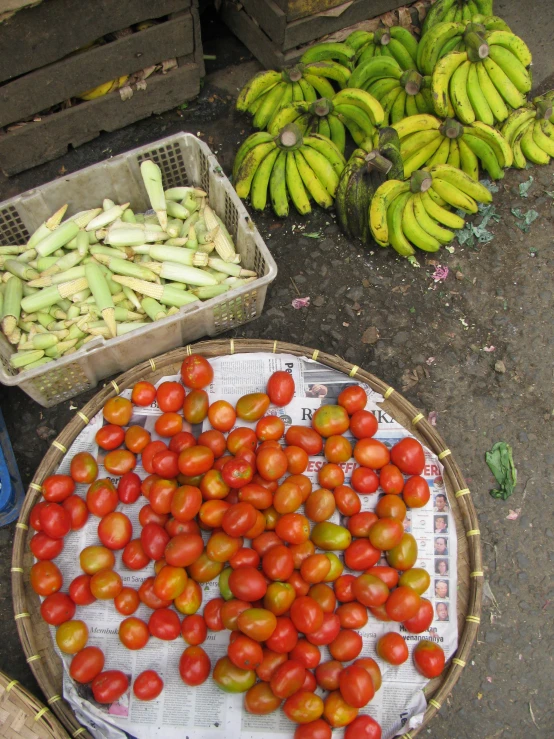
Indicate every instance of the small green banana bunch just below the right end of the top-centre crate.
{"type": "Point", "coordinates": [396, 42]}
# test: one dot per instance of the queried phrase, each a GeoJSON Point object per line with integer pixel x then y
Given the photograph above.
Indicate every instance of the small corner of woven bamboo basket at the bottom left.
{"type": "Point", "coordinates": [22, 716]}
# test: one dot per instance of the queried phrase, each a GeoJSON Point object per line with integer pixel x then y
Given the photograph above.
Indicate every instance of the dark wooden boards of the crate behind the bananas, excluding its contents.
{"type": "Point", "coordinates": [285, 35]}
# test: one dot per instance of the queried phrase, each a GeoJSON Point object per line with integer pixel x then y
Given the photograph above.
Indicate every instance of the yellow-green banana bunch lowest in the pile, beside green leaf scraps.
{"type": "Point", "coordinates": [416, 213]}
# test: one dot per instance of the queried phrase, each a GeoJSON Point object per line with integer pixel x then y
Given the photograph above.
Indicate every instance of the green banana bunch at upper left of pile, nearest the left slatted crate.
{"type": "Point", "coordinates": [268, 92]}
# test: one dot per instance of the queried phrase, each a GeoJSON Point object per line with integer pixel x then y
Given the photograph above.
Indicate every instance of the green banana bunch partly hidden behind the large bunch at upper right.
{"type": "Point", "coordinates": [452, 35]}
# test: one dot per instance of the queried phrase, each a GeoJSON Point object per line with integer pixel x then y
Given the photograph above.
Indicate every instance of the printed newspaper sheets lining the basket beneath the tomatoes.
{"type": "Point", "coordinates": [206, 711]}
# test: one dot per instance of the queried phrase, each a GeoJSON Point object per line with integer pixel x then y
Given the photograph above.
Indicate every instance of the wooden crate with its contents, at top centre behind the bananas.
{"type": "Point", "coordinates": [276, 31]}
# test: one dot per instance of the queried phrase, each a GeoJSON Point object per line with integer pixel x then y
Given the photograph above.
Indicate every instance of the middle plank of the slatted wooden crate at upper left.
{"type": "Point", "coordinates": [56, 82]}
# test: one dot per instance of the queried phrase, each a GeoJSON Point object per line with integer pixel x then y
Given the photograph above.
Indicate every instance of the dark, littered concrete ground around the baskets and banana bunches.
{"type": "Point", "coordinates": [476, 348]}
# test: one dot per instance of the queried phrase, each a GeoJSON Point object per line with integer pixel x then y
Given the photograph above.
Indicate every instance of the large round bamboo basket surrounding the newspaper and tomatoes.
{"type": "Point", "coordinates": [34, 633]}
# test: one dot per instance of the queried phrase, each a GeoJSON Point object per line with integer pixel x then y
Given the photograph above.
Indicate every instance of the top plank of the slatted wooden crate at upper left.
{"type": "Point", "coordinates": [43, 34]}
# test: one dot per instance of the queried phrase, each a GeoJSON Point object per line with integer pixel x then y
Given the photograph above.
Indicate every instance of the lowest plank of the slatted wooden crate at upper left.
{"type": "Point", "coordinates": [40, 142]}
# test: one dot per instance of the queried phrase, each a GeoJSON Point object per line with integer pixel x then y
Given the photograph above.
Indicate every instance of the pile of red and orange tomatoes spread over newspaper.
{"type": "Point", "coordinates": [283, 590]}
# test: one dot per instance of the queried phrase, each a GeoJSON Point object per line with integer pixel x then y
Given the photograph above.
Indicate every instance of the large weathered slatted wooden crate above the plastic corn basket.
{"type": "Point", "coordinates": [38, 70]}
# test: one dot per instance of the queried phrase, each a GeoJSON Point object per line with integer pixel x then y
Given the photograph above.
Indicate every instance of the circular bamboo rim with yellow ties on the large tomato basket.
{"type": "Point", "coordinates": [439, 688]}
